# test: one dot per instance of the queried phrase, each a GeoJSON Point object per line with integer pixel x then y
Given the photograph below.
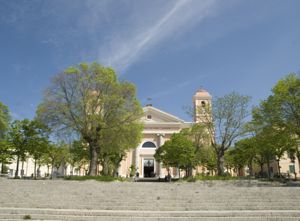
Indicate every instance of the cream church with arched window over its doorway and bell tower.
{"type": "Point", "coordinates": [158, 128]}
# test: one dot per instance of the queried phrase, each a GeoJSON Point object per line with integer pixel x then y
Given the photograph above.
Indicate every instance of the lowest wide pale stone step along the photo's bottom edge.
{"type": "Point", "coordinates": [71, 214]}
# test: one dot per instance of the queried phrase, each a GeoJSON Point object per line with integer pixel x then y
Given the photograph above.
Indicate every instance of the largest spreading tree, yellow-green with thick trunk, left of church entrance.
{"type": "Point", "coordinates": [88, 100]}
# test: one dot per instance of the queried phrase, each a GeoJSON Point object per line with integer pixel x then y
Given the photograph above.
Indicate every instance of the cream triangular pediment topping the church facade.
{"type": "Point", "coordinates": [154, 115]}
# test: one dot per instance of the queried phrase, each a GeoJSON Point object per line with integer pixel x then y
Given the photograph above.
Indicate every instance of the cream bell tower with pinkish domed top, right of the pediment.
{"type": "Point", "coordinates": [202, 106]}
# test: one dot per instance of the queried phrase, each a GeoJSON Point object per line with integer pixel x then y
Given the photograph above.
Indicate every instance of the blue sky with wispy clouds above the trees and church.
{"type": "Point", "coordinates": [169, 49]}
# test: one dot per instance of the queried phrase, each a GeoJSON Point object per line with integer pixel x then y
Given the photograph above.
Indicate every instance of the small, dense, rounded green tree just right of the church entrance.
{"type": "Point", "coordinates": [178, 152]}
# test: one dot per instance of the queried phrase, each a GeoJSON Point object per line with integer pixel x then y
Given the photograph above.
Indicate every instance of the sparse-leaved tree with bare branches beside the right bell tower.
{"type": "Point", "coordinates": [225, 121]}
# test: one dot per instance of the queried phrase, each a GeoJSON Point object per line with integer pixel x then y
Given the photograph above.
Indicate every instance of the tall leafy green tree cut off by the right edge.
{"type": "Point", "coordinates": [280, 113]}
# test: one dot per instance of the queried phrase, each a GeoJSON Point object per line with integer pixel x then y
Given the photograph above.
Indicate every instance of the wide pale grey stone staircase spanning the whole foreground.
{"type": "Point", "coordinates": [91, 200]}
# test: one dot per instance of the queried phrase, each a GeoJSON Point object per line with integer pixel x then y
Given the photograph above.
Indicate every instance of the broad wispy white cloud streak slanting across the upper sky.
{"type": "Point", "coordinates": [123, 52]}
